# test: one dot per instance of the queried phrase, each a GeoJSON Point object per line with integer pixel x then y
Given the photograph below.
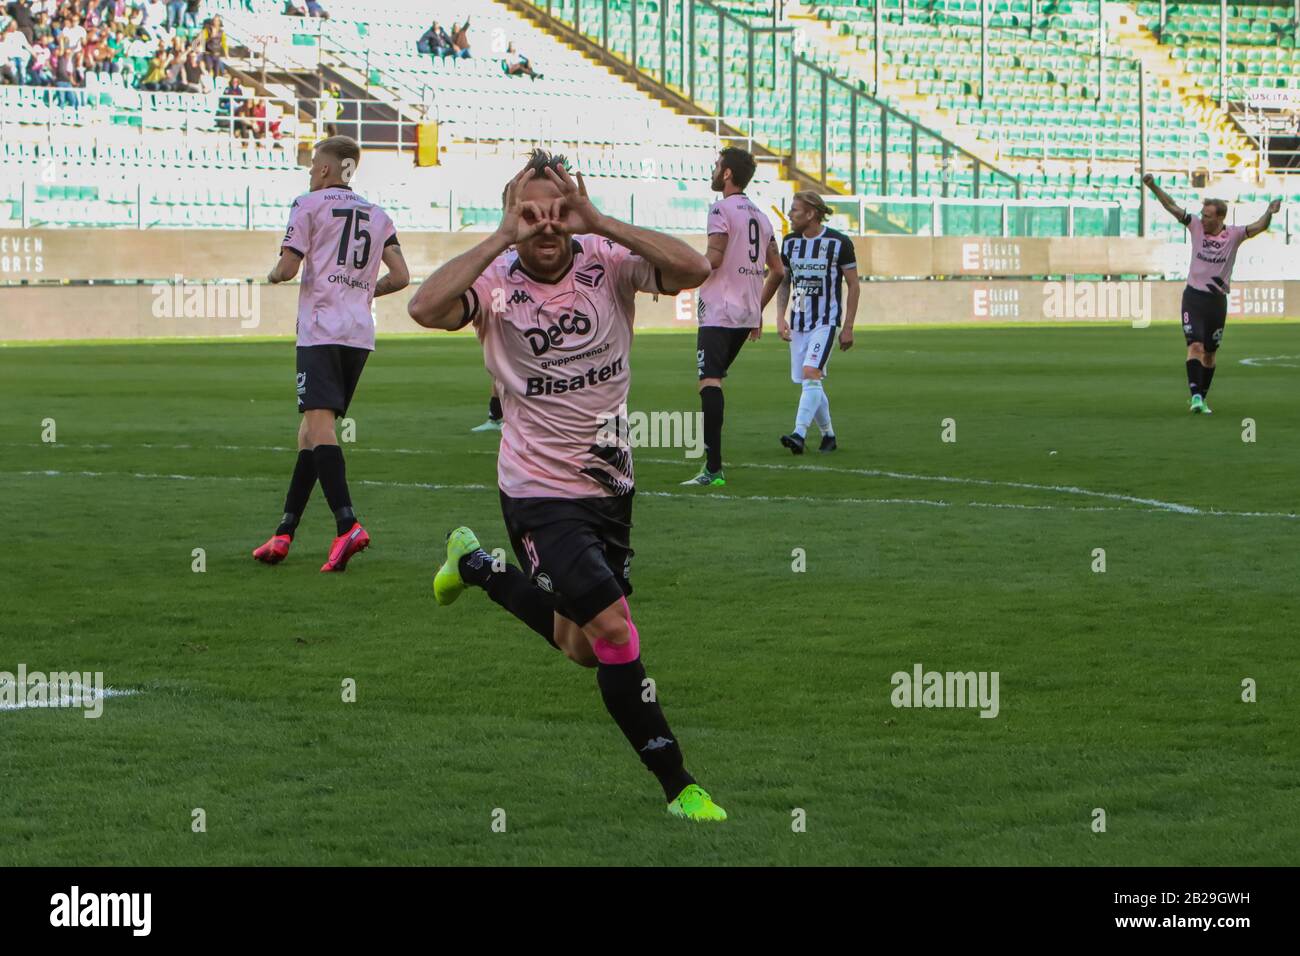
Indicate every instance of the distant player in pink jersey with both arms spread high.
{"type": "Point", "coordinates": [1215, 248]}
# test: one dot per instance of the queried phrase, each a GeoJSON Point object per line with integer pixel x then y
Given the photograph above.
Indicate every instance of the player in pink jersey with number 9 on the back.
{"type": "Point", "coordinates": [730, 304]}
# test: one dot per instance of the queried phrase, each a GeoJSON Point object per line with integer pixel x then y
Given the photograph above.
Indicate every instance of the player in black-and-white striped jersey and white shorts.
{"type": "Point", "coordinates": [818, 262]}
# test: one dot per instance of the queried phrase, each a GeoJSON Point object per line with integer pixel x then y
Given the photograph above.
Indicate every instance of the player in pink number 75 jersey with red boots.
{"type": "Point", "coordinates": [340, 240]}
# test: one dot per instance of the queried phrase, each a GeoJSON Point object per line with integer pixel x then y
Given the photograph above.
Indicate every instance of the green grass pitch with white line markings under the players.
{"type": "Point", "coordinates": [1119, 690]}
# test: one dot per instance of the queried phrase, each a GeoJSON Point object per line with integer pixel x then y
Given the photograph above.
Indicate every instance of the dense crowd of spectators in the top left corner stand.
{"type": "Point", "coordinates": [151, 45]}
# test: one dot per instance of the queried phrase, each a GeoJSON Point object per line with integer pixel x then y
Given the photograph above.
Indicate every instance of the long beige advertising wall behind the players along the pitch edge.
{"type": "Point", "coordinates": [37, 305]}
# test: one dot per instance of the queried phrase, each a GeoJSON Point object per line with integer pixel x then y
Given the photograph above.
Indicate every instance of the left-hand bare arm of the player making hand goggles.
{"type": "Point", "coordinates": [440, 302]}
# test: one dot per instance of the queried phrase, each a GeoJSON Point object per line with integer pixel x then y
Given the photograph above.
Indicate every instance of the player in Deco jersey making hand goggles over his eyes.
{"type": "Point", "coordinates": [552, 297]}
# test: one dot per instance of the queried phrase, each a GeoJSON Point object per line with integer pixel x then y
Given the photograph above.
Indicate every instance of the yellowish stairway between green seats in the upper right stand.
{"type": "Point", "coordinates": [1129, 31]}
